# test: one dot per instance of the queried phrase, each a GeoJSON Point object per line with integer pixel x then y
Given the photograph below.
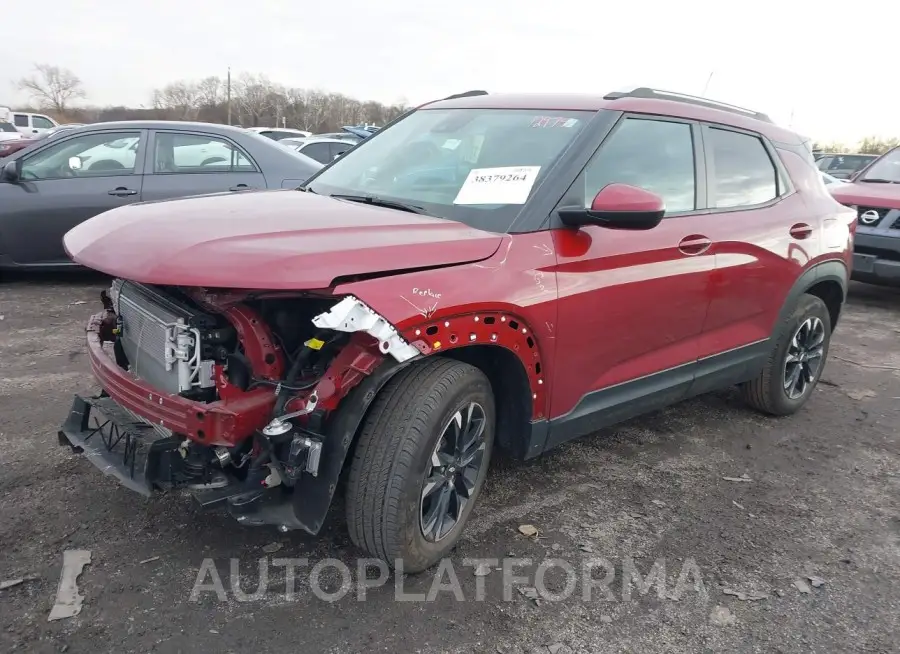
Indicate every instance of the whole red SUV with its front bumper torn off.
{"type": "Point", "coordinates": [509, 271]}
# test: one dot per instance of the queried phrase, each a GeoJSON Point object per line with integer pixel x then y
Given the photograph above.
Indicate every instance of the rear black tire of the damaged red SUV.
{"type": "Point", "coordinates": [767, 393]}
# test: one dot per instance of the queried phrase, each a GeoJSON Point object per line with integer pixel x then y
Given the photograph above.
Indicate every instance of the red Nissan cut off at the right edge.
{"type": "Point", "coordinates": [875, 196]}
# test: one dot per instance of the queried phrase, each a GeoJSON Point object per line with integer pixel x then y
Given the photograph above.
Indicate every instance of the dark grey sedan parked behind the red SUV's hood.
{"type": "Point", "coordinates": [54, 184]}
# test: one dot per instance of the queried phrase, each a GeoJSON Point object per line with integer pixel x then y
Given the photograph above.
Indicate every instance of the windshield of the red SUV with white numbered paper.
{"type": "Point", "coordinates": [477, 166]}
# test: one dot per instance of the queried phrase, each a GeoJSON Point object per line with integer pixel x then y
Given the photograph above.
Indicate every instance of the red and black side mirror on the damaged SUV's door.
{"type": "Point", "coordinates": [618, 206]}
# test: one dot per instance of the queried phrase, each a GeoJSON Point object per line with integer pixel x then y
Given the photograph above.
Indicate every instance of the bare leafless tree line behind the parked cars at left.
{"type": "Point", "coordinates": [256, 101]}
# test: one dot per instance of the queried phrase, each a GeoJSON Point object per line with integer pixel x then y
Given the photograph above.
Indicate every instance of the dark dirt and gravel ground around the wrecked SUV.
{"type": "Point", "coordinates": [821, 501]}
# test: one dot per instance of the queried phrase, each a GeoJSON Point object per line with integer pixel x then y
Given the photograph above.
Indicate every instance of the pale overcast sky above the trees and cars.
{"type": "Point", "coordinates": [824, 67]}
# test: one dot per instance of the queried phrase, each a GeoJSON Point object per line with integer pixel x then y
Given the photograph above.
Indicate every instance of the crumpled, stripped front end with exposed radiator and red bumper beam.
{"type": "Point", "coordinates": [244, 399]}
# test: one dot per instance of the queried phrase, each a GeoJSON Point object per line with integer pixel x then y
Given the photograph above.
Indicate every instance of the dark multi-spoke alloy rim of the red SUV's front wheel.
{"type": "Point", "coordinates": [453, 472]}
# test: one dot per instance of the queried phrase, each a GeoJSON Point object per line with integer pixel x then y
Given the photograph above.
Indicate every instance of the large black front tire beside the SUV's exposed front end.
{"type": "Point", "coordinates": [394, 454]}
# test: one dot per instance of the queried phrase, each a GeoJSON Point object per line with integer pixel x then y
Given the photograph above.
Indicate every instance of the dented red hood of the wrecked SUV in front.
{"type": "Point", "coordinates": [276, 240]}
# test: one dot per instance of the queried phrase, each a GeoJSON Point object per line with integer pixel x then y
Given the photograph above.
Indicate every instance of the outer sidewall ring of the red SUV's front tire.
{"type": "Point", "coordinates": [421, 553]}
